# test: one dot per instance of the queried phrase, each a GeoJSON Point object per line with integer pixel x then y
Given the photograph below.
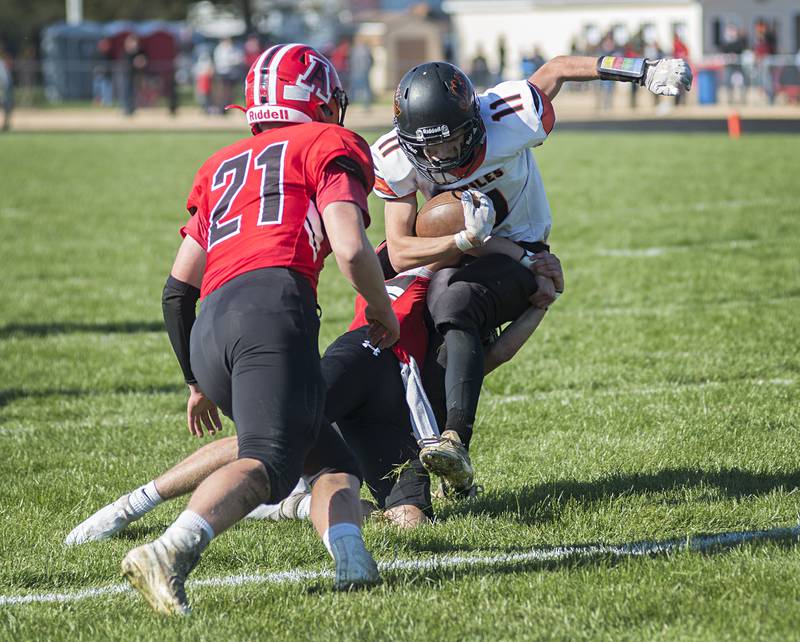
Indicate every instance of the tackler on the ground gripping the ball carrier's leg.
{"type": "Point", "coordinates": [368, 400]}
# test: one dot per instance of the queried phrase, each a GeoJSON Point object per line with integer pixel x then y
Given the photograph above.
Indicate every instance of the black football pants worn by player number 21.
{"type": "Point", "coordinates": [254, 353]}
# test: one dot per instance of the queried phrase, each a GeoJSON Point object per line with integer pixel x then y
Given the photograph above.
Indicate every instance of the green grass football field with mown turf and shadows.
{"type": "Point", "coordinates": [658, 401]}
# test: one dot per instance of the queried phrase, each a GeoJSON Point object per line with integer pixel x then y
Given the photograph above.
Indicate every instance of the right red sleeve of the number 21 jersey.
{"type": "Point", "coordinates": [344, 147]}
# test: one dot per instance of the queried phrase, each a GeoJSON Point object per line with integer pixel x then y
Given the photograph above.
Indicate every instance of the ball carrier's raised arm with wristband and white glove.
{"type": "Point", "coordinates": [664, 76]}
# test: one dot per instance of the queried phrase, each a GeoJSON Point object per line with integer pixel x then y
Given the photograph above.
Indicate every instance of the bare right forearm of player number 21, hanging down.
{"type": "Point", "coordinates": [359, 264]}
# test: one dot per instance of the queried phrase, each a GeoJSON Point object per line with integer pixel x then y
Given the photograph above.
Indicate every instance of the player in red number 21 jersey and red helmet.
{"type": "Point", "coordinates": [254, 246]}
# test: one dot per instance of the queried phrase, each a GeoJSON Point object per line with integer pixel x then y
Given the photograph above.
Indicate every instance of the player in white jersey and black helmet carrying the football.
{"type": "Point", "coordinates": [446, 137]}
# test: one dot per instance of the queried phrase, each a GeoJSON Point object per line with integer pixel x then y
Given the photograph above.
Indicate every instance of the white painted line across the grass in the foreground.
{"type": "Point", "coordinates": [633, 549]}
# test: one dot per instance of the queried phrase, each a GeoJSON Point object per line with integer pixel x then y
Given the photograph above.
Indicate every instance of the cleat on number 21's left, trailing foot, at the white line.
{"type": "Point", "coordinates": [158, 571]}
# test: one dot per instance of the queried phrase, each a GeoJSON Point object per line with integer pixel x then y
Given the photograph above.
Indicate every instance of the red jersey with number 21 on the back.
{"type": "Point", "coordinates": [255, 204]}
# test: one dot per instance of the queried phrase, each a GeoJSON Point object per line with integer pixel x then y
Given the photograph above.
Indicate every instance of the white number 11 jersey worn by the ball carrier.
{"type": "Point", "coordinates": [517, 116]}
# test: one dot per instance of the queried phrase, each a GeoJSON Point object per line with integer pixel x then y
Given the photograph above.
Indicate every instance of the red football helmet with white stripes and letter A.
{"type": "Point", "coordinates": [290, 83]}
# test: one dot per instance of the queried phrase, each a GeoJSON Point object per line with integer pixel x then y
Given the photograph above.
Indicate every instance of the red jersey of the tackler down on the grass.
{"type": "Point", "coordinates": [407, 291]}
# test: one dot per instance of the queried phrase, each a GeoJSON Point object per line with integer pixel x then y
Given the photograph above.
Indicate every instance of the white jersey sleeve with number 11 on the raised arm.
{"type": "Point", "coordinates": [521, 113]}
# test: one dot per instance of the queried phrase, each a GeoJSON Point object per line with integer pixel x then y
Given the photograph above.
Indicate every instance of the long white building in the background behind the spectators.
{"type": "Point", "coordinates": [554, 25]}
